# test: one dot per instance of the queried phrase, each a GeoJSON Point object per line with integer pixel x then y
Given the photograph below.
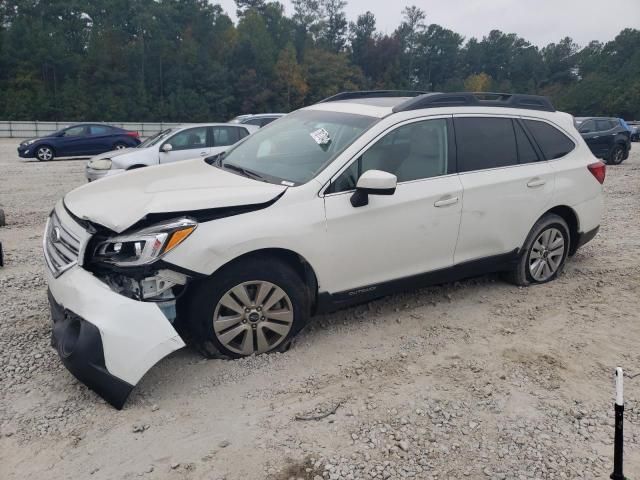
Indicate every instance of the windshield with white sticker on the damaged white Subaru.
{"type": "Point", "coordinates": [297, 147]}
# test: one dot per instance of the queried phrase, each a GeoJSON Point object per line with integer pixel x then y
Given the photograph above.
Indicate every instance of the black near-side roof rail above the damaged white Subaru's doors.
{"type": "Point", "coordinates": [473, 99]}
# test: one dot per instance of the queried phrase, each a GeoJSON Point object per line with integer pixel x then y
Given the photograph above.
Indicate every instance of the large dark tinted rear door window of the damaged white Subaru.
{"type": "Point", "coordinates": [485, 143]}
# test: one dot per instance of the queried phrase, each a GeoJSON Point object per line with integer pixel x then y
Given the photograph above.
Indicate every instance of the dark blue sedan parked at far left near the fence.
{"type": "Point", "coordinates": [78, 140]}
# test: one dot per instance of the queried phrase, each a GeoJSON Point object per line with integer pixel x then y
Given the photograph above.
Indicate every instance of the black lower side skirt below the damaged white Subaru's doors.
{"type": "Point", "coordinates": [330, 302]}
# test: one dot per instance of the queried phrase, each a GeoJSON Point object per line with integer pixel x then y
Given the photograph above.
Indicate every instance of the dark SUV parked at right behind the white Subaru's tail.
{"type": "Point", "coordinates": [607, 137]}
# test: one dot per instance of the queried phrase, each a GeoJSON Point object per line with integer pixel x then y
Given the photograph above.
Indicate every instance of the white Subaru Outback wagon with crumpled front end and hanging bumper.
{"type": "Point", "coordinates": [358, 196]}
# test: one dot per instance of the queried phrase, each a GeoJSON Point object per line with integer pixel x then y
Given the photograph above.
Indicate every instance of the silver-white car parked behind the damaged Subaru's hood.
{"type": "Point", "coordinates": [170, 145]}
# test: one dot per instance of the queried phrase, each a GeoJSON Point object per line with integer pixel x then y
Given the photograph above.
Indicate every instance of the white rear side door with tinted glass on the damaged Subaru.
{"type": "Point", "coordinates": [506, 185]}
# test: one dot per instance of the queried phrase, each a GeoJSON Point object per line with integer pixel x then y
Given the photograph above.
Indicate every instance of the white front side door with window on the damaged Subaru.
{"type": "Point", "coordinates": [410, 232]}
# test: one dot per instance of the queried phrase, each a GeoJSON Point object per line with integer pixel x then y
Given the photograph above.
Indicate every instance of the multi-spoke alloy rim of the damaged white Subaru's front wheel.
{"type": "Point", "coordinates": [253, 317]}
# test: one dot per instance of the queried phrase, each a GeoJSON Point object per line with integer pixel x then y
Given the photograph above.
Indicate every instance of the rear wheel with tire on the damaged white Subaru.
{"type": "Point", "coordinates": [544, 253]}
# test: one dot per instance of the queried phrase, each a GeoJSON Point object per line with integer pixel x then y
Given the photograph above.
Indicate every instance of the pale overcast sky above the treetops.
{"type": "Point", "coordinates": [538, 21]}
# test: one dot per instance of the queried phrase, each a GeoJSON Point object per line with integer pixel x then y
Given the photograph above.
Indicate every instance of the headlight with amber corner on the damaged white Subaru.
{"type": "Point", "coordinates": [144, 246]}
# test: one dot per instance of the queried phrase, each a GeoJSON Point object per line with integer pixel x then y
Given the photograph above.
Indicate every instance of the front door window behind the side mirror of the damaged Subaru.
{"type": "Point", "coordinates": [411, 152]}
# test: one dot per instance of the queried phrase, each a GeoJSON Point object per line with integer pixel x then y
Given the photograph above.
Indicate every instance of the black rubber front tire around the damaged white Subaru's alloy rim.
{"type": "Point", "coordinates": [206, 296]}
